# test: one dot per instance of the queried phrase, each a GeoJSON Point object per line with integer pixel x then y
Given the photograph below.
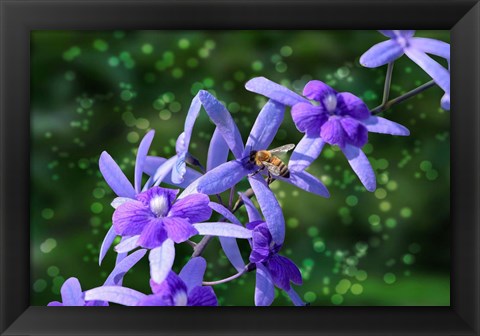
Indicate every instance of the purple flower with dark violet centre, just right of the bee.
{"type": "Point", "coordinates": [340, 119]}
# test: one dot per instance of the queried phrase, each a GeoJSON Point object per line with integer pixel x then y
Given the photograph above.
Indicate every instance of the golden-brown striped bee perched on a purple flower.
{"type": "Point", "coordinates": [268, 159]}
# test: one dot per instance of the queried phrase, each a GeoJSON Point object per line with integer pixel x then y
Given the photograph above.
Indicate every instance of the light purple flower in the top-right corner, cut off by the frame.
{"type": "Point", "coordinates": [416, 48]}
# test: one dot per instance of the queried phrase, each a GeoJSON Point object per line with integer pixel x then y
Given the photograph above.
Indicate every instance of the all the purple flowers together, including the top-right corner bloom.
{"type": "Point", "coordinates": [180, 197]}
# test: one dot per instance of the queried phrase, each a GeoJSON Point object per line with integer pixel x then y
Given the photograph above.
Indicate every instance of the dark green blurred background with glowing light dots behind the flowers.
{"type": "Point", "coordinates": [95, 91]}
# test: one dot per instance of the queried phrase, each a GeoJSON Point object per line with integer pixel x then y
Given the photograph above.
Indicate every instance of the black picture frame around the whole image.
{"type": "Point", "coordinates": [19, 17]}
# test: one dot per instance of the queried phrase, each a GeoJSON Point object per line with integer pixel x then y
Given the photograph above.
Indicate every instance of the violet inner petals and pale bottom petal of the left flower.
{"type": "Point", "coordinates": [156, 221]}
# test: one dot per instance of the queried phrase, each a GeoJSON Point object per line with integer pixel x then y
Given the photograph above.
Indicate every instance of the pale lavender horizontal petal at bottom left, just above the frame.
{"type": "Point", "coordinates": [116, 294]}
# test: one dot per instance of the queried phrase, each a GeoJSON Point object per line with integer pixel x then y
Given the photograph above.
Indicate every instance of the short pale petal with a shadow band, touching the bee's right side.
{"type": "Point", "coordinates": [307, 150]}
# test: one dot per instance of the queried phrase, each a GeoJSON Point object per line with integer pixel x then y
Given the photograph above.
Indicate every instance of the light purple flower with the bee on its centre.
{"type": "Point", "coordinates": [226, 175]}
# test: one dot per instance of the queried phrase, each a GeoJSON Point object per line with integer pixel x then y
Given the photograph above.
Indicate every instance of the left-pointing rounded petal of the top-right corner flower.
{"type": "Point", "coordinates": [381, 54]}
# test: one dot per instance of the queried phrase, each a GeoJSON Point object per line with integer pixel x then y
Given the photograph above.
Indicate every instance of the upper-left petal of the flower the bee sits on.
{"type": "Point", "coordinates": [220, 116]}
